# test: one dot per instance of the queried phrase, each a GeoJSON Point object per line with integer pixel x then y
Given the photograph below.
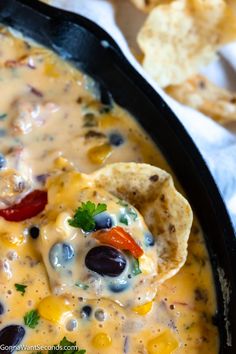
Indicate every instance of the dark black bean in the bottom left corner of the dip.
{"type": "Point", "coordinates": [11, 336]}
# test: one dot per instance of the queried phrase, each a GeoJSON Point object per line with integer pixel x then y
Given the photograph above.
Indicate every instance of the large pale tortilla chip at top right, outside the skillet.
{"type": "Point", "coordinates": [180, 38]}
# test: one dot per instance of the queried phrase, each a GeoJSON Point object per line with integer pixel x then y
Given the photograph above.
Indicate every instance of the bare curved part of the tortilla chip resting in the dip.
{"type": "Point", "coordinates": [166, 212]}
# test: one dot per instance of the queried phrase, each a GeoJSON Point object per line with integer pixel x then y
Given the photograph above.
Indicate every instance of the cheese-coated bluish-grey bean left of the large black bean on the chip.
{"type": "Point", "coordinates": [60, 254]}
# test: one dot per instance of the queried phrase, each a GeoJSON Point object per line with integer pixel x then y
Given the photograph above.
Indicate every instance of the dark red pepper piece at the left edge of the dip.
{"type": "Point", "coordinates": [29, 206]}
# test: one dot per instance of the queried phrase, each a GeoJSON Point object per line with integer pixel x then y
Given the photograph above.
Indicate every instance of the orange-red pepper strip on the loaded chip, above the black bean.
{"type": "Point", "coordinates": [120, 239]}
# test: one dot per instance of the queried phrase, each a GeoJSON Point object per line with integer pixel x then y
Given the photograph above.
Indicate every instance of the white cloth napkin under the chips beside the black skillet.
{"type": "Point", "coordinates": [216, 143]}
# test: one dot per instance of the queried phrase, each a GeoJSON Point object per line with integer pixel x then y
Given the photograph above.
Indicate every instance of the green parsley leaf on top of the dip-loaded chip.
{"type": "Point", "coordinates": [84, 216]}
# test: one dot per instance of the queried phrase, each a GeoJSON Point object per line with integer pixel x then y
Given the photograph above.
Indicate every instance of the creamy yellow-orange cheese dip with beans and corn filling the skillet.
{"type": "Point", "coordinates": [52, 118]}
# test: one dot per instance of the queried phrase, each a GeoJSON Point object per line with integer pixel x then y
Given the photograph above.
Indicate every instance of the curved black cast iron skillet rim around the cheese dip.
{"type": "Point", "coordinates": [92, 50]}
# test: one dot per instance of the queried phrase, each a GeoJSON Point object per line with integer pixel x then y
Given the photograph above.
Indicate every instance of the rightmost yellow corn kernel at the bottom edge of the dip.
{"type": "Point", "coordinates": [165, 343]}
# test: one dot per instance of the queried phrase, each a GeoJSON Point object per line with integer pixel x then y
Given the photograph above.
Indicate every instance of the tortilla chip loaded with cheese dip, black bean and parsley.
{"type": "Point", "coordinates": [95, 243]}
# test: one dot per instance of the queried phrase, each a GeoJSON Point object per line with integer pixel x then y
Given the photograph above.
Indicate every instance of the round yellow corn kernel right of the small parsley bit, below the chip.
{"type": "Point", "coordinates": [54, 309]}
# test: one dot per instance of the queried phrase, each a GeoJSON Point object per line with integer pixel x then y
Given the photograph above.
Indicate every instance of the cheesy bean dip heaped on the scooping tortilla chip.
{"type": "Point", "coordinates": [78, 263]}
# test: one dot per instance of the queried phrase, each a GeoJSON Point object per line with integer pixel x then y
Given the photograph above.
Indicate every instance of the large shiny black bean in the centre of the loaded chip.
{"type": "Point", "coordinates": [105, 260]}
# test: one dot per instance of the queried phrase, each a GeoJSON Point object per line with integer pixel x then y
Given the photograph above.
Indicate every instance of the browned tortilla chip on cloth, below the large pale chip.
{"type": "Point", "coordinates": [201, 94]}
